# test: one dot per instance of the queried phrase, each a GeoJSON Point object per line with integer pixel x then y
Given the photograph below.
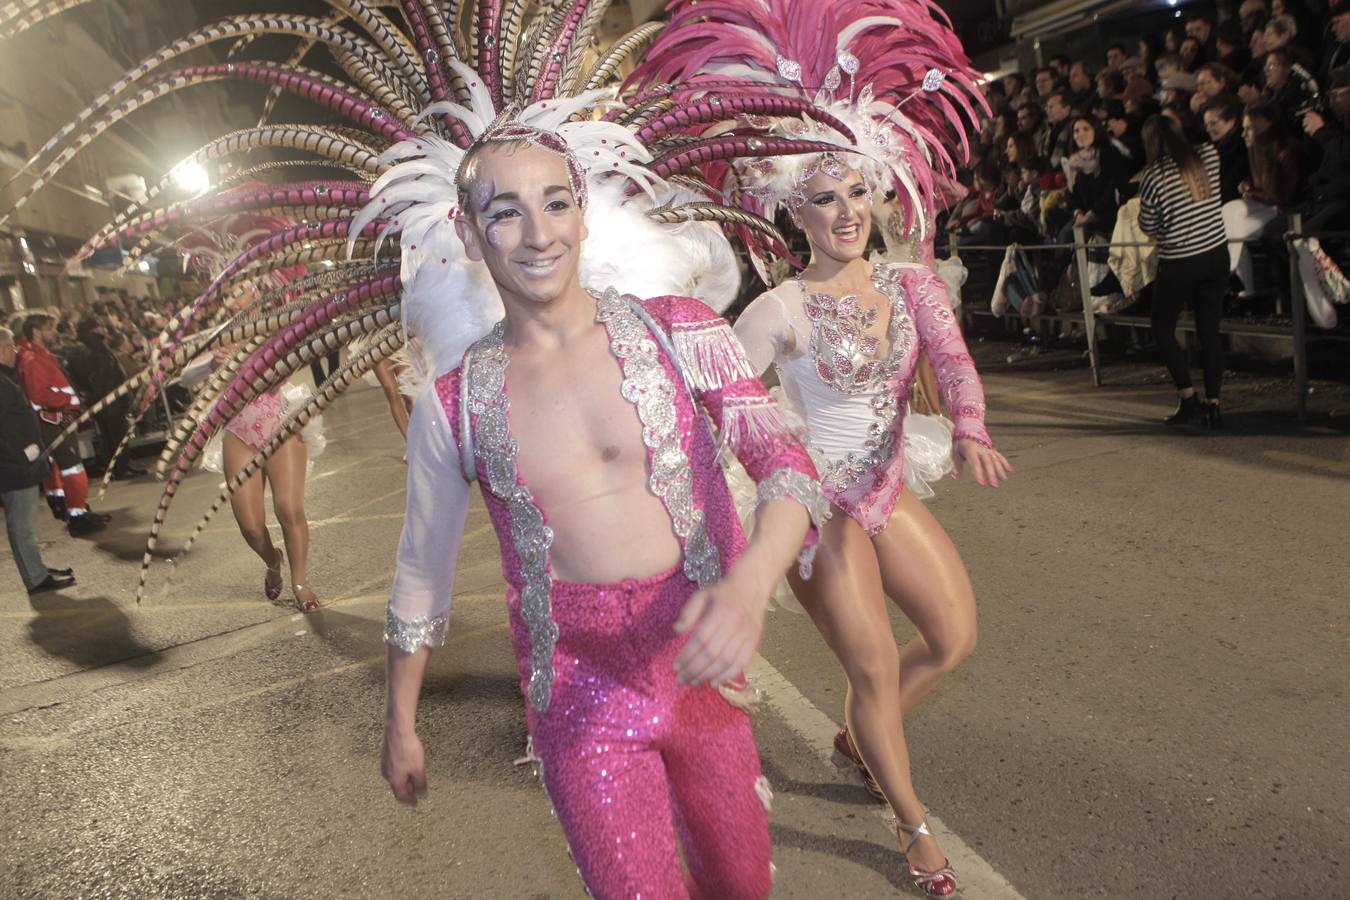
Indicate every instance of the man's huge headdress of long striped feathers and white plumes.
{"type": "Point", "coordinates": [411, 96]}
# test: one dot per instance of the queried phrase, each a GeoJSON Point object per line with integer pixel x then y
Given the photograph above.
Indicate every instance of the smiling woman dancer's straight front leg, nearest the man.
{"type": "Point", "coordinates": [844, 598]}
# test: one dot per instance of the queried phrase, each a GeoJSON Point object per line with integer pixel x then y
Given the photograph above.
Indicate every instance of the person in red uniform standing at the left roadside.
{"type": "Point", "coordinates": [55, 400]}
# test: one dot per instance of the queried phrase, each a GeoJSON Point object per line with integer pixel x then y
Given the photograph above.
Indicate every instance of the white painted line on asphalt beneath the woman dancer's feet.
{"type": "Point", "coordinates": [979, 880]}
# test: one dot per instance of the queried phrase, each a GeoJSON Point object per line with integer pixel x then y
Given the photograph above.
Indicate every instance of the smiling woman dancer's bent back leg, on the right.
{"type": "Point", "coordinates": [925, 577]}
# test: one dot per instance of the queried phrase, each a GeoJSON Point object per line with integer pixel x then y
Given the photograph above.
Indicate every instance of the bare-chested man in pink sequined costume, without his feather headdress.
{"type": "Point", "coordinates": [634, 598]}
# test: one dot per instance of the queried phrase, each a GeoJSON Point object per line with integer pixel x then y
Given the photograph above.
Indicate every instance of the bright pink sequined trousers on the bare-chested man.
{"type": "Point", "coordinates": [631, 758]}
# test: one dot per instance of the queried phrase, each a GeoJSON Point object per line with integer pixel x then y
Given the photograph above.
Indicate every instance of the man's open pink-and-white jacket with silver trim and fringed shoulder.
{"type": "Point", "coordinates": [672, 350]}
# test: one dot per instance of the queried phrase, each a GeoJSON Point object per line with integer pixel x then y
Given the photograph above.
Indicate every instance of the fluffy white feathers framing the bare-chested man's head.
{"type": "Point", "coordinates": [452, 302]}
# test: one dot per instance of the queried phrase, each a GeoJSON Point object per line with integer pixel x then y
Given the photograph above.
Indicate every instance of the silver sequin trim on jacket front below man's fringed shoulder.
{"type": "Point", "coordinates": [650, 388]}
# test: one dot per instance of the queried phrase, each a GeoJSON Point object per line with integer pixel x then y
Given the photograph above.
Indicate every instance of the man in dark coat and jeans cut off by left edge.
{"type": "Point", "coordinates": [22, 469]}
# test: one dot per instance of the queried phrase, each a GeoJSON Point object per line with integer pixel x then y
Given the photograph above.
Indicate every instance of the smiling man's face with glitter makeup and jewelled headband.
{"type": "Point", "coordinates": [523, 222]}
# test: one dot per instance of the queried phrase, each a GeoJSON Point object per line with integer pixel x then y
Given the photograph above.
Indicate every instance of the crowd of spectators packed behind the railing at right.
{"type": "Point", "coordinates": [1268, 84]}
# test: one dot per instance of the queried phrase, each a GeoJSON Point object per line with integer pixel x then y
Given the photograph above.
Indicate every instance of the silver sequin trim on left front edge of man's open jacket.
{"type": "Point", "coordinates": [496, 453]}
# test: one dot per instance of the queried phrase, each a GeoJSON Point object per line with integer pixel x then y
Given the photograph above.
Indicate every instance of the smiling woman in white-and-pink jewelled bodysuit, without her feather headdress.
{"type": "Point", "coordinates": [846, 337]}
